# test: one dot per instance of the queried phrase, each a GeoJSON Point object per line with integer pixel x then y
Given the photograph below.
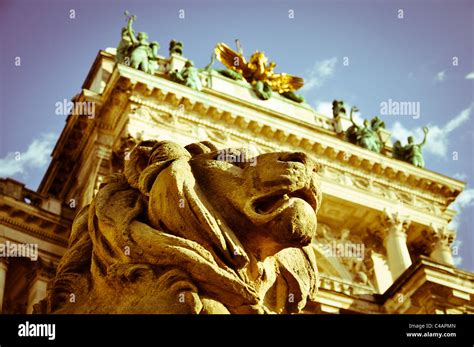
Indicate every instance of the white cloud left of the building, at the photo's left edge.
{"type": "Point", "coordinates": [19, 163]}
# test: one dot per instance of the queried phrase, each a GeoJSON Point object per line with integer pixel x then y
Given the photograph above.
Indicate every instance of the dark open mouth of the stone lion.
{"type": "Point", "coordinates": [269, 203]}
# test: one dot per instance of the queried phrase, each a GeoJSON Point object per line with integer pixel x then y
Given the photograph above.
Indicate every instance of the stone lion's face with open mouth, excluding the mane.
{"type": "Point", "coordinates": [270, 203]}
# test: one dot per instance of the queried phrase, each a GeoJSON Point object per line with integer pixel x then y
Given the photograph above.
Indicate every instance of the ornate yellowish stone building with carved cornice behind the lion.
{"type": "Point", "coordinates": [383, 243]}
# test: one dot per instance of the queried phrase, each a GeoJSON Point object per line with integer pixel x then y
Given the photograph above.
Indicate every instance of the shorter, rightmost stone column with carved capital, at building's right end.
{"type": "Point", "coordinates": [441, 239]}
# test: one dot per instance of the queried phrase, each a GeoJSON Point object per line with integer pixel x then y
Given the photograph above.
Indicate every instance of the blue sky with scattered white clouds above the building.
{"type": "Point", "coordinates": [357, 51]}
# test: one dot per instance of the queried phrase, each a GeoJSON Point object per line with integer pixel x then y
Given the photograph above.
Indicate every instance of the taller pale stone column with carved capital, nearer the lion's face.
{"type": "Point", "coordinates": [395, 241]}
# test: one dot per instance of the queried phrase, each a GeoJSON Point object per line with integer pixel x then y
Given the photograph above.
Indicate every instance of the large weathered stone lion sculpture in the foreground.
{"type": "Point", "coordinates": [180, 231]}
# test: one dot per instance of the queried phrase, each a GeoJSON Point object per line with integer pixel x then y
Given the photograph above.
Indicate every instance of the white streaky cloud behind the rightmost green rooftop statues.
{"type": "Point", "coordinates": [438, 137]}
